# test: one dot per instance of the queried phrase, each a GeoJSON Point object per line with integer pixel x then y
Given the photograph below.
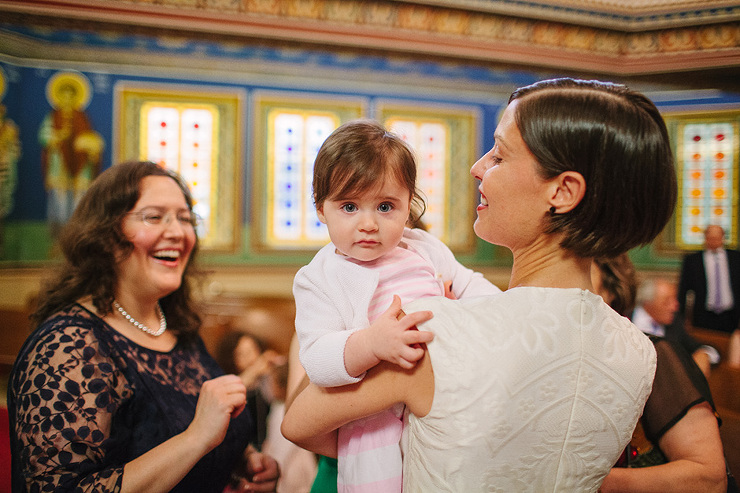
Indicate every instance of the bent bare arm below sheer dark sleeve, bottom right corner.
{"type": "Point", "coordinates": [696, 460]}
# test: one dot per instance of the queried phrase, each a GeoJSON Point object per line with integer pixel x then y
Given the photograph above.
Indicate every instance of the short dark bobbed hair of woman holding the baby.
{"type": "Point", "coordinates": [617, 140]}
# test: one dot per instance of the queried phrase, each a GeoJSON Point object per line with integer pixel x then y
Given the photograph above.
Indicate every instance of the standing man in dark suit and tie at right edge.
{"type": "Point", "coordinates": [713, 275]}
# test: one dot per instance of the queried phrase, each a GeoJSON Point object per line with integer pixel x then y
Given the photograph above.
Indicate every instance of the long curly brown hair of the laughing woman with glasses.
{"type": "Point", "coordinates": [93, 238]}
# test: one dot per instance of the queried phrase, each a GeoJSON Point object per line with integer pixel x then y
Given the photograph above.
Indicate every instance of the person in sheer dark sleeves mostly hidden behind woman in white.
{"type": "Point", "coordinates": [685, 451]}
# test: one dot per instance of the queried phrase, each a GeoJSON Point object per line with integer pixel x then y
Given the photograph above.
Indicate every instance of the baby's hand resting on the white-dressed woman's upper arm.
{"type": "Point", "coordinates": [391, 339]}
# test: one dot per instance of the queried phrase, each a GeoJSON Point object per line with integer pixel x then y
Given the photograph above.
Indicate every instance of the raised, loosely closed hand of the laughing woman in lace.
{"type": "Point", "coordinates": [220, 400]}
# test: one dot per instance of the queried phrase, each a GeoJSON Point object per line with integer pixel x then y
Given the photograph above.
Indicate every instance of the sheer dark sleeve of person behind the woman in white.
{"type": "Point", "coordinates": [678, 386]}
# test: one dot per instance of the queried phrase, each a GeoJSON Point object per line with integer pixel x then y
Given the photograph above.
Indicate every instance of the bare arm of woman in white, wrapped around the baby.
{"type": "Point", "coordinates": [316, 412]}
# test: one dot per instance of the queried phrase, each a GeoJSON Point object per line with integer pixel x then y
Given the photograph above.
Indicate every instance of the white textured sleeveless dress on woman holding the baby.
{"type": "Point", "coordinates": [535, 389]}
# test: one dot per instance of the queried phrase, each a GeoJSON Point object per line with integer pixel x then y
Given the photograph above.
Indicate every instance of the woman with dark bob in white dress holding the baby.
{"type": "Point", "coordinates": [537, 388]}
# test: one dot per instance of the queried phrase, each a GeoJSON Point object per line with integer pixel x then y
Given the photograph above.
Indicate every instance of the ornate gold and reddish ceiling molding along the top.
{"type": "Point", "coordinates": [684, 35]}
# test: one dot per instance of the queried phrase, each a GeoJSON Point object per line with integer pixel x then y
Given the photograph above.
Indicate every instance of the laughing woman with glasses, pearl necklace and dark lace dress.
{"type": "Point", "coordinates": [114, 390]}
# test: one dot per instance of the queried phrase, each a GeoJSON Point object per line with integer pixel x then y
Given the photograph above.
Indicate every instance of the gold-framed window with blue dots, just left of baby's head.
{"type": "Point", "coordinates": [289, 131]}
